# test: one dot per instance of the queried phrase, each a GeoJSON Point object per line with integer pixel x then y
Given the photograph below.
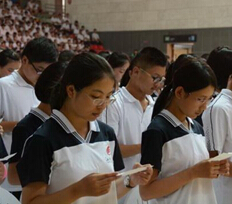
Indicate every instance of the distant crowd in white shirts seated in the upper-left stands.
{"type": "Point", "coordinates": [19, 25]}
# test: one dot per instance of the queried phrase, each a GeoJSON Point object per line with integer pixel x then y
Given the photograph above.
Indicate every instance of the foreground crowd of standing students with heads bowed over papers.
{"type": "Point", "coordinates": [75, 122]}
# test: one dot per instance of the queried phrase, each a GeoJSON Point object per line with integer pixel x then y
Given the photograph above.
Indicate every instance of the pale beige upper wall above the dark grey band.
{"type": "Point", "coordinates": [128, 15]}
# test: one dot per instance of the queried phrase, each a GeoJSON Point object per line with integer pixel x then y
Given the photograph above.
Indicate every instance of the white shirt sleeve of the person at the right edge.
{"type": "Point", "coordinates": [215, 124]}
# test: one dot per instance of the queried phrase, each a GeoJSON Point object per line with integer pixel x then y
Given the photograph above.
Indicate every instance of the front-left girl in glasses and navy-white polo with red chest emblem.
{"type": "Point", "coordinates": [72, 157]}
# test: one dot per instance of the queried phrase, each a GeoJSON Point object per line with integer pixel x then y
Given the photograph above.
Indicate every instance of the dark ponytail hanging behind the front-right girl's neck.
{"type": "Point", "coordinates": [163, 100]}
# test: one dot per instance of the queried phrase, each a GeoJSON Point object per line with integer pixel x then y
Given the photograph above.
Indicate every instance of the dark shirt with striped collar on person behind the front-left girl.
{"type": "Point", "coordinates": [24, 129]}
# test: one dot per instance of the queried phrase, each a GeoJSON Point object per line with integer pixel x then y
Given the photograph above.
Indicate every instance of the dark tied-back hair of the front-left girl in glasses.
{"type": "Point", "coordinates": [82, 71]}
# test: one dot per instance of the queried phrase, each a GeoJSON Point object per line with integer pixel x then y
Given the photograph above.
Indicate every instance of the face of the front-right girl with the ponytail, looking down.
{"type": "Point", "coordinates": [193, 104]}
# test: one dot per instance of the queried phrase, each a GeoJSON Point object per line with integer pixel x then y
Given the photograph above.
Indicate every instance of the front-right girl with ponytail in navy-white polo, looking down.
{"type": "Point", "coordinates": [174, 142]}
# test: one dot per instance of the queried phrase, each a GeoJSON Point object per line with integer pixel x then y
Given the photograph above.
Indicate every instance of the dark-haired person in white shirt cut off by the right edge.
{"type": "Point", "coordinates": [217, 118]}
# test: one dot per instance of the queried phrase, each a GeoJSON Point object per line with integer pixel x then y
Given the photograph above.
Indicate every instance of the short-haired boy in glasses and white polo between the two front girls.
{"type": "Point", "coordinates": [131, 113]}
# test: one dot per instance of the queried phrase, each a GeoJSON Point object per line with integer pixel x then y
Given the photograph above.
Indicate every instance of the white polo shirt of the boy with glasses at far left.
{"type": "Point", "coordinates": [17, 98]}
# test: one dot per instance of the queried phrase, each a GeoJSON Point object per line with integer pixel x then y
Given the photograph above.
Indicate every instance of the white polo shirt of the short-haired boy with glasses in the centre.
{"type": "Point", "coordinates": [128, 120]}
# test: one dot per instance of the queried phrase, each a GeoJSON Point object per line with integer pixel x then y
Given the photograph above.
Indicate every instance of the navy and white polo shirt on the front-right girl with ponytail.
{"type": "Point", "coordinates": [172, 148]}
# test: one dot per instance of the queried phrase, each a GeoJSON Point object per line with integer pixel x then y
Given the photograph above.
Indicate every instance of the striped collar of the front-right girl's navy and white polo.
{"type": "Point", "coordinates": [174, 120]}
